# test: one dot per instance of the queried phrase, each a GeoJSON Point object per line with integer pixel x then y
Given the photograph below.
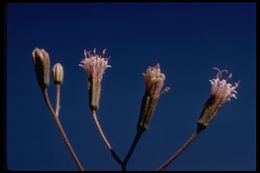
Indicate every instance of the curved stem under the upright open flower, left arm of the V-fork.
{"type": "Point", "coordinates": [113, 153]}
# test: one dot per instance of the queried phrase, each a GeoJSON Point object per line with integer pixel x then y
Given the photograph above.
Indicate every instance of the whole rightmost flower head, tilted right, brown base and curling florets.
{"type": "Point", "coordinates": [221, 91]}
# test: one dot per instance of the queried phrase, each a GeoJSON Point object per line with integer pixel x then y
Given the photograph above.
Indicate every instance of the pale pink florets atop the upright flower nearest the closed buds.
{"type": "Point", "coordinates": [94, 64]}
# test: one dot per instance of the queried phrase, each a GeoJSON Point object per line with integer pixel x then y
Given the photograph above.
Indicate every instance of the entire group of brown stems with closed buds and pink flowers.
{"type": "Point", "coordinates": [95, 65]}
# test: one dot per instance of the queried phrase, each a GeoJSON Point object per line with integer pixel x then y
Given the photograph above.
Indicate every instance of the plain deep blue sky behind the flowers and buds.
{"type": "Point", "coordinates": [187, 39]}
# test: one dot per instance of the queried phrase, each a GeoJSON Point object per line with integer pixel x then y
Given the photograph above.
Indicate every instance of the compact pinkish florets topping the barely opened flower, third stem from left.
{"type": "Point", "coordinates": [154, 80]}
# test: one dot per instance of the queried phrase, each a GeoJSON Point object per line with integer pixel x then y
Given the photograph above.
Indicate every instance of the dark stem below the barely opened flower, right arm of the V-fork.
{"type": "Point", "coordinates": [132, 148]}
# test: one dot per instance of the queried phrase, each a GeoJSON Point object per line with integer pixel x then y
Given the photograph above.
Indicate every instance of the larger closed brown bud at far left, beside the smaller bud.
{"type": "Point", "coordinates": [41, 63]}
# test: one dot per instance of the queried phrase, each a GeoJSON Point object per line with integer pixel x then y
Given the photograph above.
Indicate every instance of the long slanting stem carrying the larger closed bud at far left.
{"type": "Point", "coordinates": [63, 134]}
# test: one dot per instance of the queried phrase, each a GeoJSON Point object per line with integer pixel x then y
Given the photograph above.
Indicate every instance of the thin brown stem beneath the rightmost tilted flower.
{"type": "Point", "coordinates": [178, 153]}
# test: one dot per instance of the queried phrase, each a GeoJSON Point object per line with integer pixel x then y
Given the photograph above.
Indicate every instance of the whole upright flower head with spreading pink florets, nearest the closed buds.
{"type": "Point", "coordinates": [95, 66]}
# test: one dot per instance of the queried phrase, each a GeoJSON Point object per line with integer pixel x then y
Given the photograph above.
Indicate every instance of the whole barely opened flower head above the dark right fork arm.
{"type": "Point", "coordinates": [154, 81]}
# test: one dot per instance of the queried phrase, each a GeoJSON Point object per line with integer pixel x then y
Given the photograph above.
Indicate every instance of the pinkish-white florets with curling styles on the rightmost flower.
{"type": "Point", "coordinates": [221, 89]}
